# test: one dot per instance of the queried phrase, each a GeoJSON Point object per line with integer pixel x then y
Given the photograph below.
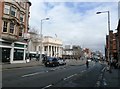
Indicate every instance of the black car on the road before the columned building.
{"type": "Point", "coordinates": [51, 62]}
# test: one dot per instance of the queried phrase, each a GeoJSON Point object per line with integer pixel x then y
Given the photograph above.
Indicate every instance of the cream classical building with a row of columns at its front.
{"type": "Point", "coordinates": [52, 46]}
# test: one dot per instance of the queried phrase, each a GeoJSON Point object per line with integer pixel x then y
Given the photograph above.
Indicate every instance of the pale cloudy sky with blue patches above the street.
{"type": "Point", "coordinates": [75, 22]}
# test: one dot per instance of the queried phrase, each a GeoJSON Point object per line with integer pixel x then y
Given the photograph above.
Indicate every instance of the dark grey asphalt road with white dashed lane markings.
{"type": "Point", "coordinates": [61, 76]}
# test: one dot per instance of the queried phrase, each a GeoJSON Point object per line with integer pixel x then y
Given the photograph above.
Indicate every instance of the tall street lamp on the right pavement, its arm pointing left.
{"type": "Point", "coordinates": [108, 32]}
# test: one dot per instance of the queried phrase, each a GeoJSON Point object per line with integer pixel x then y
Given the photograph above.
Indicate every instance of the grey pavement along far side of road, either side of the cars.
{"type": "Point", "coordinates": [39, 63]}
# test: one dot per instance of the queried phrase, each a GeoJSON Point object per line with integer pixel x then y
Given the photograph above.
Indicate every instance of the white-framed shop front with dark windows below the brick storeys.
{"type": "Point", "coordinates": [13, 52]}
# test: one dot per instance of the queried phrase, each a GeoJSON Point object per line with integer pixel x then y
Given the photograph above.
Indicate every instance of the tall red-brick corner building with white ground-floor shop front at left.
{"type": "Point", "coordinates": [14, 22]}
